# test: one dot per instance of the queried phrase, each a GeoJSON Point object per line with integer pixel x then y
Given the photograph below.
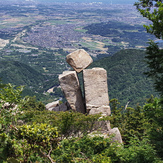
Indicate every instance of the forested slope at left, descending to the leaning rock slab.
{"type": "Point", "coordinates": [18, 73]}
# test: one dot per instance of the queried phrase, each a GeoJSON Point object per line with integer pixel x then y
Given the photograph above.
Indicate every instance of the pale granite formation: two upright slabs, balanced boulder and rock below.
{"type": "Point", "coordinates": [96, 99]}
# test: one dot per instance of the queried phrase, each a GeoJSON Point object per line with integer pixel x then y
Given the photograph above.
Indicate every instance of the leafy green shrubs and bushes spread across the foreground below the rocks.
{"type": "Point", "coordinates": [29, 133]}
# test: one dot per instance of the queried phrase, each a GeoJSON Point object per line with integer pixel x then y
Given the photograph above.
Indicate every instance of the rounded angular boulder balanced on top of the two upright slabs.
{"type": "Point", "coordinates": [79, 60]}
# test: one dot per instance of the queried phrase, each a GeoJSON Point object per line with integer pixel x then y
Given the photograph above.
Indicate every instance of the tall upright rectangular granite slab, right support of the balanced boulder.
{"type": "Point", "coordinates": [96, 89]}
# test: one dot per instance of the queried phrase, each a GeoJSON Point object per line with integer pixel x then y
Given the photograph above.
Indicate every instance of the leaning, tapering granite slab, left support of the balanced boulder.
{"type": "Point", "coordinates": [70, 86]}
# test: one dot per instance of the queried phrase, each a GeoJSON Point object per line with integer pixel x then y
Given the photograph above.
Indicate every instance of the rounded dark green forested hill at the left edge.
{"type": "Point", "coordinates": [20, 74]}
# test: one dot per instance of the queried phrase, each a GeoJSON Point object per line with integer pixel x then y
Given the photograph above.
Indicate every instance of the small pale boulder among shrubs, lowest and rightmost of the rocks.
{"type": "Point", "coordinates": [117, 135]}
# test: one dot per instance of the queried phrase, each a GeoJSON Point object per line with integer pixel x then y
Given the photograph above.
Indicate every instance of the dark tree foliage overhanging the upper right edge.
{"type": "Point", "coordinates": [153, 10]}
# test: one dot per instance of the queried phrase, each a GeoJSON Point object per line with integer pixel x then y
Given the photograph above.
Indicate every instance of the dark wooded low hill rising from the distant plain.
{"type": "Point", "coordinates": [120, 32]}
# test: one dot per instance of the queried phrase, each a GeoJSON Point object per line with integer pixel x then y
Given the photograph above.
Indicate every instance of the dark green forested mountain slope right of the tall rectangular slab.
{"type": "Point", "coordinates": [126, 80]}
